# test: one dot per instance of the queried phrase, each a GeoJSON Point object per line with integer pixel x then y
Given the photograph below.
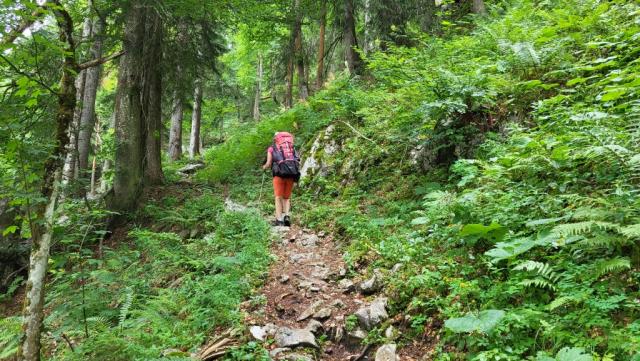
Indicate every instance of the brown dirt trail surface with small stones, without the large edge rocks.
{"type": "Point", "coordinates": [305, 278]}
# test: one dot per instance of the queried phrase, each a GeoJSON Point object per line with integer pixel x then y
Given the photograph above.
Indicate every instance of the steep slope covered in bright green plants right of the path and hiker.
{"type": "Point", "coordinates": [499, 167]}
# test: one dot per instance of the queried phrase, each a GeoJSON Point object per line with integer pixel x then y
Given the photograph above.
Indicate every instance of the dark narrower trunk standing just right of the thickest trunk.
{"type": "Point", "coordinates": [153, 116]}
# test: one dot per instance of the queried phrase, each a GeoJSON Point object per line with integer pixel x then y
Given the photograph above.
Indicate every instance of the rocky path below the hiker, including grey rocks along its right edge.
{"type": "Point", "coordinates": [313, 311]}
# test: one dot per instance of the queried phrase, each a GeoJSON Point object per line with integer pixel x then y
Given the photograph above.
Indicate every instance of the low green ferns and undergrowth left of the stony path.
{"type": "Point", "coordinates": [157, 290]}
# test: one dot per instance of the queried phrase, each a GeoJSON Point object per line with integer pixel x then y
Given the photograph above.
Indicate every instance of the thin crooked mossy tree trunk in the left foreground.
{"type": "Point", "coordinates": [41, 233]}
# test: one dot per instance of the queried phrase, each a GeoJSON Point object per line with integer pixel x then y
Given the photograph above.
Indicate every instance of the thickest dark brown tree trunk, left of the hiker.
{"type": "Point", "coordinates": [129, 121]}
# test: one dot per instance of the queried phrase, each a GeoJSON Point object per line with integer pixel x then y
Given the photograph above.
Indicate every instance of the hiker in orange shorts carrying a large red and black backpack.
{"type": "Point", "coordinates": [284, 161]}
